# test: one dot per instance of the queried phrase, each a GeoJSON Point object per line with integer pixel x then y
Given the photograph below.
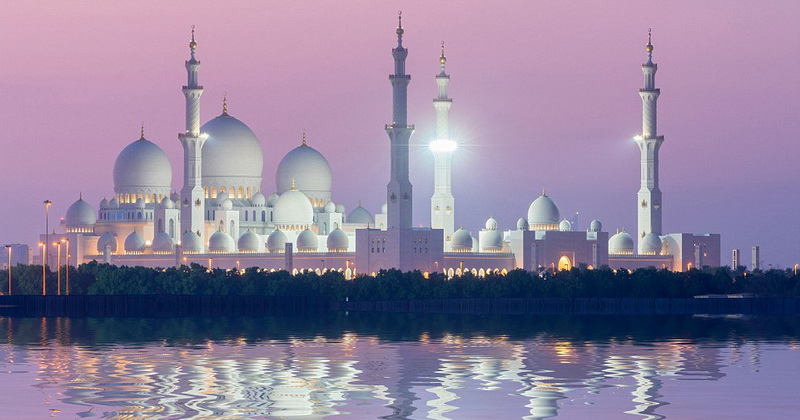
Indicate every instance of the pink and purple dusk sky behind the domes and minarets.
{"type": "Point", "coordinates": [545, 95]}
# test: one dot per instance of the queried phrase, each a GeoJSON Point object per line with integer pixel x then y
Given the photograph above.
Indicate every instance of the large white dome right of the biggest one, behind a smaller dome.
{"type": "Point", "coordinates": [309, 170]}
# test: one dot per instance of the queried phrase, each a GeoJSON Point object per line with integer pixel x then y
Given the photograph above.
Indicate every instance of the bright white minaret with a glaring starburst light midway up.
{"type": "Point", "coordinates": [442, 202]}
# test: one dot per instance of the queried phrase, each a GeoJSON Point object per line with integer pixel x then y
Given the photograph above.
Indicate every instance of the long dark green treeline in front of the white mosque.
{"type": "Point", "coordinates": [104, 279]}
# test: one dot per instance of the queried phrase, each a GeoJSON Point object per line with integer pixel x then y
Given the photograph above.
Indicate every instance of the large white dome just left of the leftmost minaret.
{"type": "Point", "coordinates": [142, 167]}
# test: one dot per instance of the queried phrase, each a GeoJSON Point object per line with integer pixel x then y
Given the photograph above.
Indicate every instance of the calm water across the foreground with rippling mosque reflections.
{"type": "Point", "coordinates": [401, 366]}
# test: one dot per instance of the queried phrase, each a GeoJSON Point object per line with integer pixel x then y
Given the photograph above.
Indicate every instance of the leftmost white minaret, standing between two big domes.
{"type": "Point", "coordinates": [192, 197]}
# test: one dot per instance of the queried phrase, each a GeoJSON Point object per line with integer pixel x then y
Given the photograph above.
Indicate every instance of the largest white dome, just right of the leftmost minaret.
{"type": "Point", "coordinates": [232, 155]}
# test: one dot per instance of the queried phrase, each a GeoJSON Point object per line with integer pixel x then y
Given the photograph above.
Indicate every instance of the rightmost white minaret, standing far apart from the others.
{"type": "Point", "coordinates": [649, 196]}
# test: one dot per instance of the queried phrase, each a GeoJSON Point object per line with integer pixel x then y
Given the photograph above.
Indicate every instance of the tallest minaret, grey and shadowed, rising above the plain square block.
{"type": "Point", "coordinates": [398, 191]}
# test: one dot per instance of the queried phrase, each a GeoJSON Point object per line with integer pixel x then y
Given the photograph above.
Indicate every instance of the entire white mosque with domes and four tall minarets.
{"type": "Point", "coordinates": [222, 218]}
